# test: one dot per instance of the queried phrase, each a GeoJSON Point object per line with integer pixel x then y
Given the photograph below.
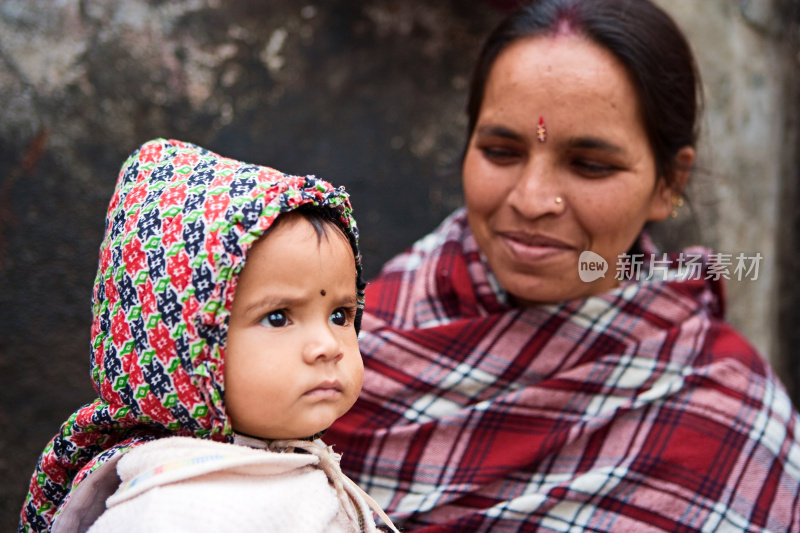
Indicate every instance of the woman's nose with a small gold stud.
{"type": "Point", "coordinates": [537, 191]}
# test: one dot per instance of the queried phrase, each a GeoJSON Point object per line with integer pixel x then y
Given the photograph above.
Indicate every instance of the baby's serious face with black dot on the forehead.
{"type": "Point", "coordinates": [292, 364]}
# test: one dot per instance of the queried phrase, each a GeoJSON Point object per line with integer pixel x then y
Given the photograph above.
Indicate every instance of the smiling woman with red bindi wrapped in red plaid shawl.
{"type": "Point", "coordinates": [508, 386]}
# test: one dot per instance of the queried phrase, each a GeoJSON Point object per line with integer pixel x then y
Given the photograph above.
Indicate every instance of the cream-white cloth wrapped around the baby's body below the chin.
{"type": "Point", "coordinates": [186, 484]}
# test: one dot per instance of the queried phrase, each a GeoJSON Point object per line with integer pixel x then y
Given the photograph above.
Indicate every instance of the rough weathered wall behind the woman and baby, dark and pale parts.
{"type": "Point", "coordinates": [367, 94]}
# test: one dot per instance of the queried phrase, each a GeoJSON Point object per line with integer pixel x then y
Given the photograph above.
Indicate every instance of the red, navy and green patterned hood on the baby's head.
{"type": "Point", "coordinates": [179, 225]}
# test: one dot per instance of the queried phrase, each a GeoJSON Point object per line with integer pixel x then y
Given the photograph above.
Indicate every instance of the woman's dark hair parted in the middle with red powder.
{"type": "Point", "coordinates": [643, 38]}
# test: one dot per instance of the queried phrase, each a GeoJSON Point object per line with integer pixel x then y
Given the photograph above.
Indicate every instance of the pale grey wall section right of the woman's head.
{"type": "Point", "coordinates": [744, 192]}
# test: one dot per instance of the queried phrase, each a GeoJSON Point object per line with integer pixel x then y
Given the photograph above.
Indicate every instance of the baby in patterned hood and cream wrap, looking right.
{"type": "Point", "coordinates": [224, 342]}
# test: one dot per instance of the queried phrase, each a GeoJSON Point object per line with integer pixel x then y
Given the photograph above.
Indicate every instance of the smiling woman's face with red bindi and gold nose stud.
{"type": "Point", "coordinates": [537, 199]}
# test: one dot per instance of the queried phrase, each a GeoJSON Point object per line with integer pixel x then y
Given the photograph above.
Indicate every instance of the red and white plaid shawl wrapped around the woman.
{"type": "Point", "coordinates": [635, 410]}
